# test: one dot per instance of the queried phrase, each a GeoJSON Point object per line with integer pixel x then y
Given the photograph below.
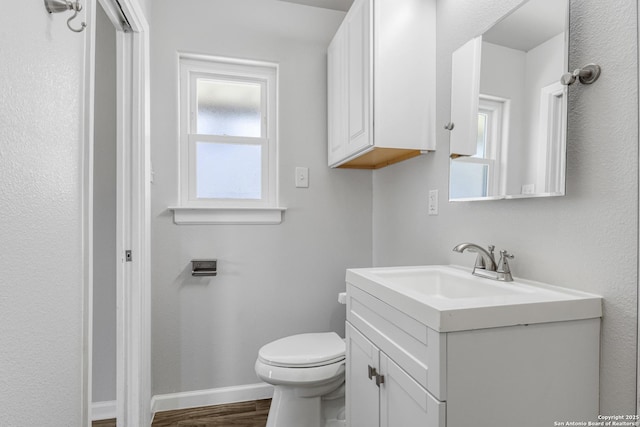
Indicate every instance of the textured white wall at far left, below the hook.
{"type": "Point", "coordinates": [41, 283]}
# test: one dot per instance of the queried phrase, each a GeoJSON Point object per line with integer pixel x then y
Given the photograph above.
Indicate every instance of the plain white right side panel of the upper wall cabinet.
{"type": "Point", "coordinates": [404, 73]}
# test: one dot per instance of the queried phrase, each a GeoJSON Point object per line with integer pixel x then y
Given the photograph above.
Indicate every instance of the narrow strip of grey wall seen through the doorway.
{"type": "Point", "coordinates": [104, 208]}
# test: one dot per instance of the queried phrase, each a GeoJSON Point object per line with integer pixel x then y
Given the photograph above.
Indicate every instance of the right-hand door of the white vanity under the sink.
{"type": "Point", "coordinates": [403, 402]}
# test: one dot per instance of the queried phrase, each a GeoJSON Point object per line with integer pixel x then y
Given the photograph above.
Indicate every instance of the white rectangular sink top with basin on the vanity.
{"type": "Point", "coordinates": [449, 298]}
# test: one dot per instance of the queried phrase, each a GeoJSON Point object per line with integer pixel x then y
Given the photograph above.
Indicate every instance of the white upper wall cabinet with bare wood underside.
{"type": "Point", "coordinates": [381, 82]}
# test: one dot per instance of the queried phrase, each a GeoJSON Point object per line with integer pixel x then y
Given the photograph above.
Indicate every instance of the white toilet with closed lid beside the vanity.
{"type": "Point", "coordinates": [307, 372]}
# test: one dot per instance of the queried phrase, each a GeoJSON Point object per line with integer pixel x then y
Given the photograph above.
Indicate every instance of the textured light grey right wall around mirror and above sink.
{"type": "Point", "coordinates": [586, 240]}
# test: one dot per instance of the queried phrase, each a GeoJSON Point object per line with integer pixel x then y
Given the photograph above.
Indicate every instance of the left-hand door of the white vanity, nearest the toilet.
{"type": "Point", "coordinates": [362, 400]}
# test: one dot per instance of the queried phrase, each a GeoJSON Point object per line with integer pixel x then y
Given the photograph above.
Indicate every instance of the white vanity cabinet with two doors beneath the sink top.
{"type": "Point", "coordinates": [525, 375]}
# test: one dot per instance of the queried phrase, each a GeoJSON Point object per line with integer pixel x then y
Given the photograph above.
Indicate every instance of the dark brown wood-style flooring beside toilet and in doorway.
{"type": "Point", "coordinates": [243, 414]}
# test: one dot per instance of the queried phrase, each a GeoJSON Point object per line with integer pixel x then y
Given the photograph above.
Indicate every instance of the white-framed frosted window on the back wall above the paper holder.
{"type": "Point", "coordinates": [228, 146]}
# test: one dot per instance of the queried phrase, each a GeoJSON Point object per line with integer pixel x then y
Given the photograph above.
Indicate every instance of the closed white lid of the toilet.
{"type": "Point", "coordinates": [304, 350]}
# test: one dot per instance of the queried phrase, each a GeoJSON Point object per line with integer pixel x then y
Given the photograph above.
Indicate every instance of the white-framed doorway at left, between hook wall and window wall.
{"type": "Point", "coordinates": [116, 187]}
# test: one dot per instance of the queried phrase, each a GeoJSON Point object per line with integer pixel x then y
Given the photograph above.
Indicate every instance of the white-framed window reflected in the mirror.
{"type": "Point", "coordinates": [482, 174]}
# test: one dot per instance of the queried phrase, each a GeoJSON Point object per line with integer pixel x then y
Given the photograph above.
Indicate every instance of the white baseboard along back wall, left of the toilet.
{"type": "Point", "coordinates": [210, 397]}
